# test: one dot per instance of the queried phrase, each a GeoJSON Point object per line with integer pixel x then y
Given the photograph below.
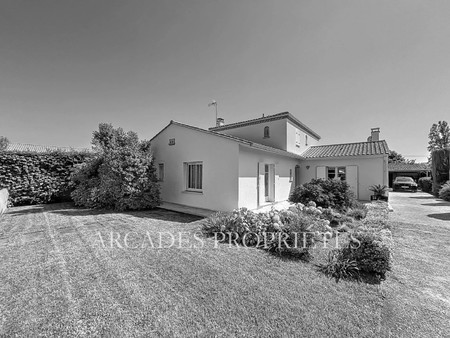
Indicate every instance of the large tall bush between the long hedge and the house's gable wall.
{"type": "Point", "coordinates": [121, 177]}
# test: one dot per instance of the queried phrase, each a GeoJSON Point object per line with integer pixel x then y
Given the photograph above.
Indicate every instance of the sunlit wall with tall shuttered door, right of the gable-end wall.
{"type": "Point", "coordinates": [249, 160]}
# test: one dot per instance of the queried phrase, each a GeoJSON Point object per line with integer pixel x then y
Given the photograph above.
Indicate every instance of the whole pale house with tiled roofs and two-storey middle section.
{"type": "Point", "coordinates": [257, 162]}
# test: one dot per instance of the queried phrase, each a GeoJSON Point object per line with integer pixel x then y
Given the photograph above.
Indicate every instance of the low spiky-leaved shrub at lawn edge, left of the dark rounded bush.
{"type": "Point", "coordinates": [339, 267]}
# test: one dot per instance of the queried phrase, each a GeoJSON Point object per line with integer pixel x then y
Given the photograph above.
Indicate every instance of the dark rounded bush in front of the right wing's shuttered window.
{"type": "Point", "coordinates": [325, 193]}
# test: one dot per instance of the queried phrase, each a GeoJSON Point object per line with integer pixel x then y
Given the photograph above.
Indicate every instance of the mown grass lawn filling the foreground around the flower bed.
{"type": "Point", "coordinates": [61, 276]}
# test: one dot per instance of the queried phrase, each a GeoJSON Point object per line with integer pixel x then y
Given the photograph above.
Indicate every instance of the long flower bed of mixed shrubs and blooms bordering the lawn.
{"type": "Point", "coordinates": [364, 245]}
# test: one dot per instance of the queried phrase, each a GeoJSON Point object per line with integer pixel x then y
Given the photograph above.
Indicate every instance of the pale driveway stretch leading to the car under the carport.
{"type": "Point", "coordinates": [419, 208]}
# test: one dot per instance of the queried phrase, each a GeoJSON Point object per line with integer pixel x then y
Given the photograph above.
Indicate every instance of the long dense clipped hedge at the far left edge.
{"type": "Point", "coordinates": [35, 178]}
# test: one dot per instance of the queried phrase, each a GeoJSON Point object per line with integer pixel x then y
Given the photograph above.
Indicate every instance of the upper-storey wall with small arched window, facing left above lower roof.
{"type": "Point", "coordinates": [255, 133]}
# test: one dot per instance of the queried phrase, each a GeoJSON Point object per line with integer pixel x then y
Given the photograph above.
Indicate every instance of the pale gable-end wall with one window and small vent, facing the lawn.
{"type": "Point", "coordinates": [220, 168]}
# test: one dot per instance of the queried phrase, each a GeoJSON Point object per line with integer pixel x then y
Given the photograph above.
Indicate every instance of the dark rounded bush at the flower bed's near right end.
{"type": "Point", "coordinates": [371, 250]}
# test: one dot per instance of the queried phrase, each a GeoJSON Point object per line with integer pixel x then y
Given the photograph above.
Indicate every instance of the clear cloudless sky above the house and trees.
{"type": "Point", "coordinates": [341, 67]}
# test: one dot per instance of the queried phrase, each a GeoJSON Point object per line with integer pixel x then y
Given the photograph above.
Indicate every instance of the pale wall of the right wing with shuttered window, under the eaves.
{"type": "Point", "coordinates": [371, 170]}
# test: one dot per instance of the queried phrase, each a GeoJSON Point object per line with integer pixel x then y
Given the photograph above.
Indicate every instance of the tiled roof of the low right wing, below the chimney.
{"type": "Point", "coordinates": [347, 149]}
